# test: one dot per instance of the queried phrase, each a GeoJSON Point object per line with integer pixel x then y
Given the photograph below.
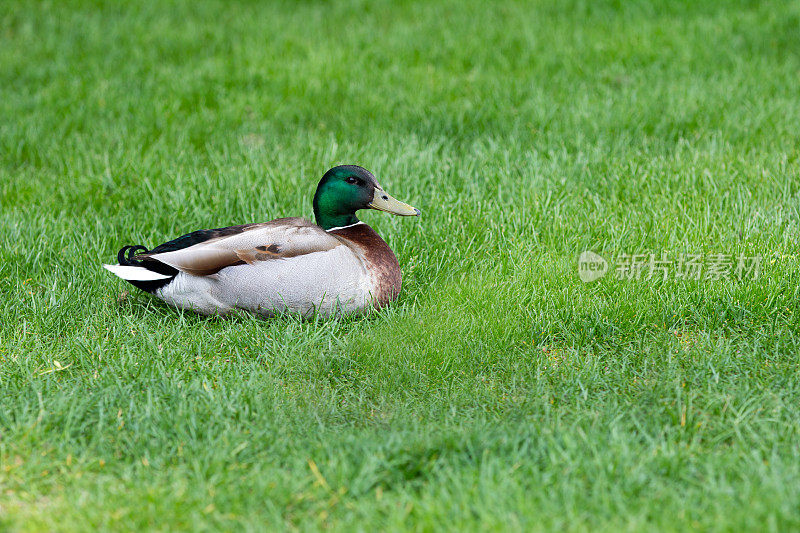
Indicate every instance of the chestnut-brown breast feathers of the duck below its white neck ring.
{"type": "Point", "coordinates": [380, 259]}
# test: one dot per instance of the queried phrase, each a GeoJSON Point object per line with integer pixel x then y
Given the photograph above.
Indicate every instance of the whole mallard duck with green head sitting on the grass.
{"type": "Point", "coordinates": [338, 265]}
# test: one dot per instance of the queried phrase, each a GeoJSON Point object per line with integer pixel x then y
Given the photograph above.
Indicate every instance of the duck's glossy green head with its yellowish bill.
{"type": "Point", "coordinates": [345, 189]}
